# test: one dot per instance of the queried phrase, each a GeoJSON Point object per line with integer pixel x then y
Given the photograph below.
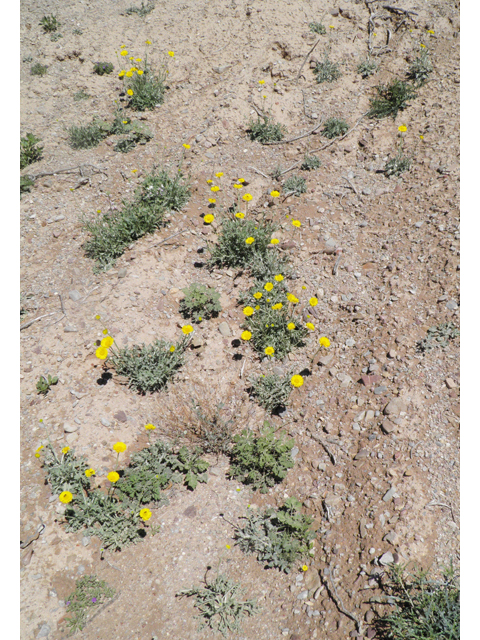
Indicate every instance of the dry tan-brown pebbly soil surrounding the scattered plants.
{"type": "Point", "coordinates": [375, 483]}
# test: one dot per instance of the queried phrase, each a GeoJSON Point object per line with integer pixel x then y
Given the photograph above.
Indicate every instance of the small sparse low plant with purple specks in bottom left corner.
{"type": "Point", "coordinates": [89, 594]}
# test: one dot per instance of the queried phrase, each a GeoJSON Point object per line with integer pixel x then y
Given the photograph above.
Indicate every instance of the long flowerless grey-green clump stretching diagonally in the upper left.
{"type": "Point", "coordinates": [110, 234]}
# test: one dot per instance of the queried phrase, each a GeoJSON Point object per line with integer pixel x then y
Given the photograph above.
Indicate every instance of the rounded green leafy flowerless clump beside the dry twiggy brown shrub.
{"type": "Point", "coordinates": [261, 461]}
